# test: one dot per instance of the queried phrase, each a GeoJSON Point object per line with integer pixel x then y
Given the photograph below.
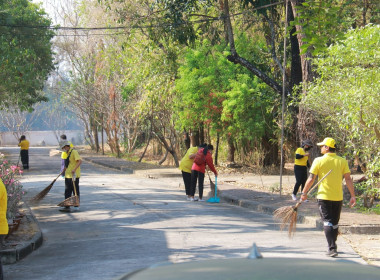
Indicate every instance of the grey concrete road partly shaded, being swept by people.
{"type": "Point", "coordinates": [126, 223]}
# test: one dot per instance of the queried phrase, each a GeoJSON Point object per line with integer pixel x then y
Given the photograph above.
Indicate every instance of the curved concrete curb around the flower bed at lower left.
{"type": "Point", "coordinates": [11, 256]}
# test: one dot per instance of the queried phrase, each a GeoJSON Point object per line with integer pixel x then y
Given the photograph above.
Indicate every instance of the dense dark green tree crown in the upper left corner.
{"type": "Point", "coordinates": [26, 53]}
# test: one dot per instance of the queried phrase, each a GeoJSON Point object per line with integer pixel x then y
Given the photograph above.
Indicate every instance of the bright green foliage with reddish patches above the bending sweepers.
{"type": "Point", "coordinates": [222, 95]}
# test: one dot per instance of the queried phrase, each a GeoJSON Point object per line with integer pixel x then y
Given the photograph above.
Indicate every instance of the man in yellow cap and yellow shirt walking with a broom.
{"type": "Point", "coordinates": [330, 191]}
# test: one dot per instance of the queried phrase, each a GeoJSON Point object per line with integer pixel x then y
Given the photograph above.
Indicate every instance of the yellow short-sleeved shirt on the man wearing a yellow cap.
{"type": "Point", "coordinates": [331, 186]}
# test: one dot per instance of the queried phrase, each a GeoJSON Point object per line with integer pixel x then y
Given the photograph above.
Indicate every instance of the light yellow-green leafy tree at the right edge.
{"type": "Point", "coordinates": [346, 95]}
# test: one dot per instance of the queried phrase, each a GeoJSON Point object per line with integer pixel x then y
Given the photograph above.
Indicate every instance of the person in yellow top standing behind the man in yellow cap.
{"type": "Point", "coordinates": [301, 163]}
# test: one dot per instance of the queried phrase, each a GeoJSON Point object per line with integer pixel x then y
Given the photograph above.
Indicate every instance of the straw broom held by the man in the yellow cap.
{"type": "Point", "coordinates": [288, 214]}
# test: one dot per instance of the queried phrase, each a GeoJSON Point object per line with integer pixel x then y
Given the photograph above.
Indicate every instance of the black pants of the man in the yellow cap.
{"type": "Point", "coordinates": [330, 215]}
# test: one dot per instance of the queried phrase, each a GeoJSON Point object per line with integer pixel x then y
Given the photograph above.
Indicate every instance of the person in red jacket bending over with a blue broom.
{"type": "Point", "coordinates": [198, 172]}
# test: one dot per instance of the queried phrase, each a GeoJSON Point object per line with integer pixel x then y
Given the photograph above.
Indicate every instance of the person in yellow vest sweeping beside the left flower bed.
{"type": "Point", "coordinates": [71, 170]}
